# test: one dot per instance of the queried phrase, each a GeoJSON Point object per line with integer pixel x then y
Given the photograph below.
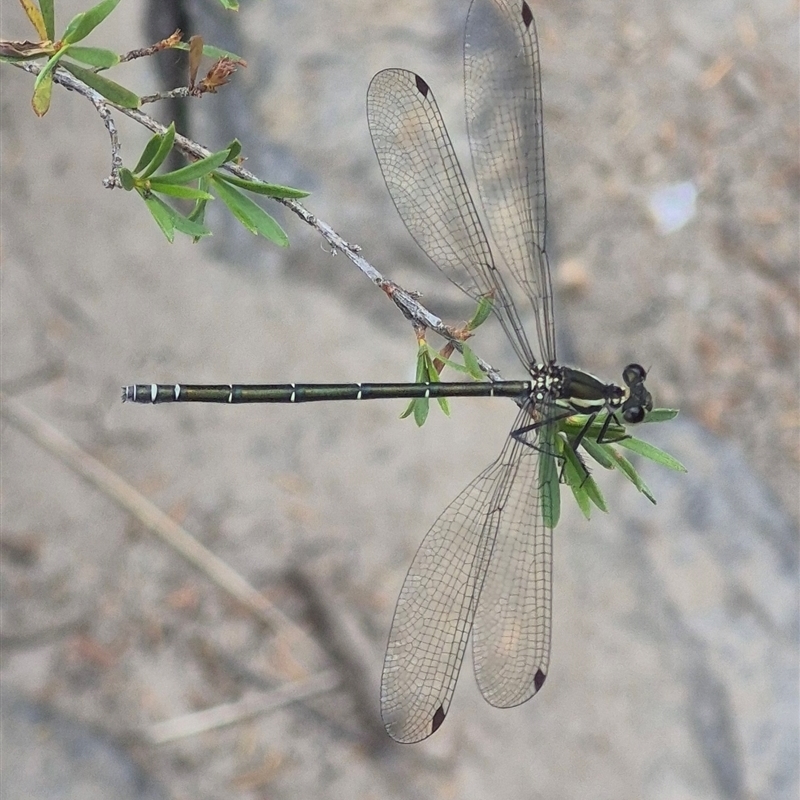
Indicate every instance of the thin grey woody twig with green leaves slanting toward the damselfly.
{"type": "Point", "coordinates": [406, 301]}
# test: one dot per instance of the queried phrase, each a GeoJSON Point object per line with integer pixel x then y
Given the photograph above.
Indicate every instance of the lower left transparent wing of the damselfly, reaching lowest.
{"type": "Point", "coordinates": [437, 603]}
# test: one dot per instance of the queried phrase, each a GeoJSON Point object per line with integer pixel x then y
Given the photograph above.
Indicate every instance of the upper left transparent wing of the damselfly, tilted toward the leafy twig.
{"type": "Point", "coordinates": [428, 188]}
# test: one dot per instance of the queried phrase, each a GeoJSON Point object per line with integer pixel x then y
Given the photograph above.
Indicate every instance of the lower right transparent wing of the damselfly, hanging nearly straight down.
{"type": "Point", "coordinates": [511, 630]}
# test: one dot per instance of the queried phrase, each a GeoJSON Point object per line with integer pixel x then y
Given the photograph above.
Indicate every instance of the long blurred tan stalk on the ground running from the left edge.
{"type": "Point", "coordinates": [155, 520]}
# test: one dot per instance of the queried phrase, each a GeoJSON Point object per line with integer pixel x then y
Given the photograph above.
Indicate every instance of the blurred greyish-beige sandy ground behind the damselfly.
{"type": "Point", "coordinates": [674, 670]}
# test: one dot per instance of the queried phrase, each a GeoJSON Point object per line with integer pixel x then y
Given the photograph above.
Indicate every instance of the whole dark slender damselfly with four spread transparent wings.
{"type": "Point", "coordinates": [485, 565]}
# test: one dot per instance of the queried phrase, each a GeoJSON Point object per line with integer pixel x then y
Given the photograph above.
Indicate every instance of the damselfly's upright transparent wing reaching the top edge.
{"type": "Point", "coordinates": [504, 122]}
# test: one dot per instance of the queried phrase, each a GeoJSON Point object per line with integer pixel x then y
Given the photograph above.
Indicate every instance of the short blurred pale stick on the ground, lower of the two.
{"type": "Point", "coordinates": [251, 705]}
